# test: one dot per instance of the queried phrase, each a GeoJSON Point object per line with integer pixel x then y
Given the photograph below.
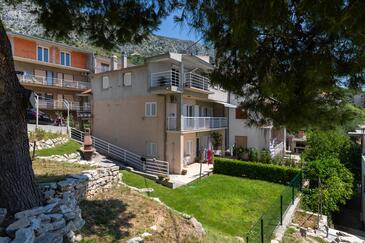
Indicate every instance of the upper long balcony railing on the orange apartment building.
{"type": "Point", "coordinates": [56, 82]}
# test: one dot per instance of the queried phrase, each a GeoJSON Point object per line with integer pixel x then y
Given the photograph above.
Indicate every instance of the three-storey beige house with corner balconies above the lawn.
{"type": "Point", "coordinates": [164, 109]}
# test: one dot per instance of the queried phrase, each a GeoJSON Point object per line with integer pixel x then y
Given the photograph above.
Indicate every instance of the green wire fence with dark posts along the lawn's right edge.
{"type": "Point", "coordinates": [263, 229]}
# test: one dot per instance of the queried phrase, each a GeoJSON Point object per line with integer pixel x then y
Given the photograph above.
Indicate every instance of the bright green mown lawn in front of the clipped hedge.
{"type": "Point", "coordinates": [225, 205]}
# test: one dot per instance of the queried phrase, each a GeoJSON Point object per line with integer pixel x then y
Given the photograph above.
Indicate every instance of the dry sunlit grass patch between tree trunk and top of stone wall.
{"type": "Point", "coordinates": [53, 171]}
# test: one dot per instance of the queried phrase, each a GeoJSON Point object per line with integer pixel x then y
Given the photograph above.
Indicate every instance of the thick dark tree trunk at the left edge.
{"type": "Point", "coordinates": [18, 190]}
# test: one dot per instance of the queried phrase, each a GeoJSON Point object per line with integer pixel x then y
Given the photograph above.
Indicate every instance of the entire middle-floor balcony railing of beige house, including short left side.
{"type": "Point", "coordinates": [197, 123]}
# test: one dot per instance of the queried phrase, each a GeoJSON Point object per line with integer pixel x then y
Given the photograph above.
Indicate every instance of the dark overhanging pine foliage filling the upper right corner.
{"type": "Point", "coordinates": [292, 60]}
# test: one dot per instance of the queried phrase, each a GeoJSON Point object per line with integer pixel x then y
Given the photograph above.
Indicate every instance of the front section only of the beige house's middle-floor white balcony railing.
{"type": "Point", "coordinates": [201, 123]}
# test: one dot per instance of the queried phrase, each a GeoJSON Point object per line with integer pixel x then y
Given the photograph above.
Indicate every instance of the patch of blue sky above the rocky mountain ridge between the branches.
{"type": "Point", "coordinates": [175, 30]}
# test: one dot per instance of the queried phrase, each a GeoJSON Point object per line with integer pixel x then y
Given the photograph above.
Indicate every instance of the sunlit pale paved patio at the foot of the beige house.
{"type": "Point", "coordinates": [193, 173]}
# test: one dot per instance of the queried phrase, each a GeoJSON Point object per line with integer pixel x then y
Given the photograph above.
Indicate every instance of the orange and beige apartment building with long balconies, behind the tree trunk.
{"type": "Point", "coordinates": [59, 74]}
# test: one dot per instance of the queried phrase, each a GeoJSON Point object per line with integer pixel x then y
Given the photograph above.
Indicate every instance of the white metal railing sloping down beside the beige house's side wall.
{"type": "Point", "coordinates": [151, 166]}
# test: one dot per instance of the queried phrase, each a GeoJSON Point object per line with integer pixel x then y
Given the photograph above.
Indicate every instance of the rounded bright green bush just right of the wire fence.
{"type": "Point", "coordinates": [335, 188]}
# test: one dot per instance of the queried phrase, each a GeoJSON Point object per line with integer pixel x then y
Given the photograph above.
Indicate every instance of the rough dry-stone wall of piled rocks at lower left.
{"type": "Point", "coordinates": [60, 217]}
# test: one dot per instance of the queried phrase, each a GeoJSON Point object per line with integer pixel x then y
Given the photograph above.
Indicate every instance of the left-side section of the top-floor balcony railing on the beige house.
{"type": "Point", "coordinates": [165, 79]}
